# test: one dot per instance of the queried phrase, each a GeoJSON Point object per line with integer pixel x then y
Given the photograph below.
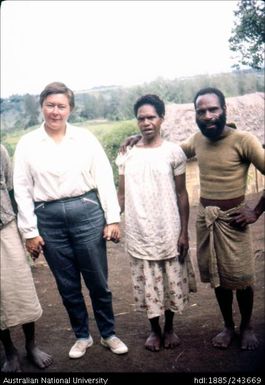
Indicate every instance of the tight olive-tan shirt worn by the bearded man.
{"type": "Point", "coordinates": [224, 164]}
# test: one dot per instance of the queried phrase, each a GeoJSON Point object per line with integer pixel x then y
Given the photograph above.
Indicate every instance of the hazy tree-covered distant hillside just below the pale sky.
{"type": "Point", "coordinates": [115, 103]}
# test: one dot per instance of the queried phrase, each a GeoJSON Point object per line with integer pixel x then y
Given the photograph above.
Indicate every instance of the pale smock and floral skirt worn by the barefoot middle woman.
{"type": "Point", "coordinates": [152, 227]}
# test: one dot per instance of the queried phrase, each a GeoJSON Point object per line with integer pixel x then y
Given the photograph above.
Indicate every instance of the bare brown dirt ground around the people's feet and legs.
{"type": "Point", "coordinates": [199, 322]}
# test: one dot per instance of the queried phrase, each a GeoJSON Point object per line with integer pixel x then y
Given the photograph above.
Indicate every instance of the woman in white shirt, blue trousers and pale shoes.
{"type": "Point", "coordinates": [68, 208]}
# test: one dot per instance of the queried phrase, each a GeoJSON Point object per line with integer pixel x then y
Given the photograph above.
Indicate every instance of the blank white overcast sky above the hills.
{"type": "Point", "coordinates": [91, 43]}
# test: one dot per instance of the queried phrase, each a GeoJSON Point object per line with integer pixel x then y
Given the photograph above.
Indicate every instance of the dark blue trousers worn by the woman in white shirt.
{"type": "Point", "coordinates": [72, 230]}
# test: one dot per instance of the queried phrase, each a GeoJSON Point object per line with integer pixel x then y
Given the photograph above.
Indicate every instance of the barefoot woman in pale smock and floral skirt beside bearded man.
{"type": "Point", "coordinates": [152, 193]}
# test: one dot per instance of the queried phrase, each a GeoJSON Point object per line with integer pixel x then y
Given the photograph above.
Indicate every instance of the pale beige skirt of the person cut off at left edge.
{"type": "Point", "coordinates": [19, 303]}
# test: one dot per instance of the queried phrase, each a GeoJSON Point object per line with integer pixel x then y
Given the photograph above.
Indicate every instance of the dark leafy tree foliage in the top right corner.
{"type": "Point", "coordinates": [248, 35]}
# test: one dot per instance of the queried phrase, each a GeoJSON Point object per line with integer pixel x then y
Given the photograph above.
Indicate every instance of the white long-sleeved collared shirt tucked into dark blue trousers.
{"type": "Point", "coordinates": [45, 170]}
